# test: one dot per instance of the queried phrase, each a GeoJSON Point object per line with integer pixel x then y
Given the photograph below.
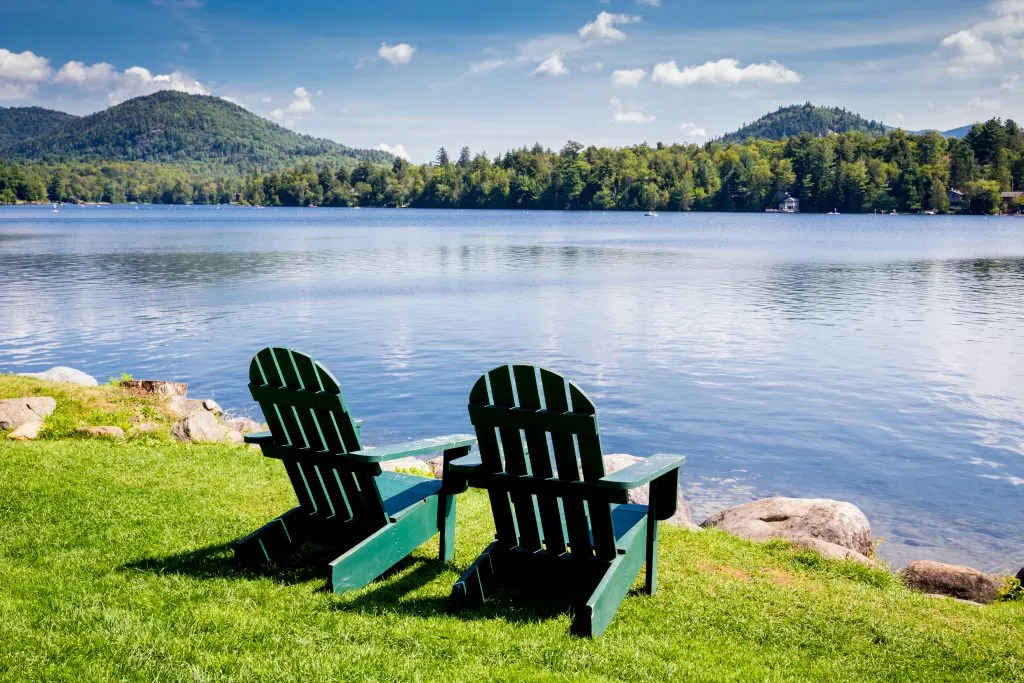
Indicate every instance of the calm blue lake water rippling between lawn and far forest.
{"type": "Point", "coordinates": [874, 359]}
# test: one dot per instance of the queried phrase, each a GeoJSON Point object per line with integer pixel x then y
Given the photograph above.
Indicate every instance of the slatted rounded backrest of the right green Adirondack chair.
{"type": "Point", "coordinates": [541, 430]}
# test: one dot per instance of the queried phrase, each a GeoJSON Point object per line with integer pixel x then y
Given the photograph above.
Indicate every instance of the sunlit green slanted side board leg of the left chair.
{"type": "Point", "coordinates": [385, 548]}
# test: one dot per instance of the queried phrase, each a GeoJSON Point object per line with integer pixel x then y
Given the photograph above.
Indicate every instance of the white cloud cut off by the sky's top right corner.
{"type": "Point", "coordinates": [991, 42]}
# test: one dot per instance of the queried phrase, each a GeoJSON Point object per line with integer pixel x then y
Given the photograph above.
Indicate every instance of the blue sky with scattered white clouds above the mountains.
{"type": "Point", "coordinates": [411, 76]}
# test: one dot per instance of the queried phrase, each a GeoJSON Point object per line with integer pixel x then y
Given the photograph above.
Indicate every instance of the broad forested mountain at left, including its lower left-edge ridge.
{"type": "Point", "coordinates": [170, 129]}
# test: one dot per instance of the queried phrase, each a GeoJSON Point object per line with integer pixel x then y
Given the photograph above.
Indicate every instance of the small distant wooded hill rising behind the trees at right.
{"type": "Point", "coordinates": [797, 119]}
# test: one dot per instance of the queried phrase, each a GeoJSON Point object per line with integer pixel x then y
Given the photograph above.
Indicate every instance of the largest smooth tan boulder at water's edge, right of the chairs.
{"type": "Point", "coordinates": [796, 519]}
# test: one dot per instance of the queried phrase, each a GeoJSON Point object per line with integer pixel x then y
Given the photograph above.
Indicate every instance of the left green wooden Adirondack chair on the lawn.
{"type": "Point", "coordinates": [374, 519]}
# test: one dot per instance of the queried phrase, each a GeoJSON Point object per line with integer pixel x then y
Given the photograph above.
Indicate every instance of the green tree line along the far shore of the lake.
{"type": "Point", "coordinates": [852, 173]}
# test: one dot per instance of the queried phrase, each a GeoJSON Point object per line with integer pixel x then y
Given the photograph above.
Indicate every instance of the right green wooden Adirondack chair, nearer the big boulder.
{"type": "Point", "coordinates": [561, 522]}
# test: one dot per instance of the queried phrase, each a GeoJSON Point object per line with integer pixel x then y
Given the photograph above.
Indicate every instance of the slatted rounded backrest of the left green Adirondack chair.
{"type": "Point", "coordinates": [304, 406]}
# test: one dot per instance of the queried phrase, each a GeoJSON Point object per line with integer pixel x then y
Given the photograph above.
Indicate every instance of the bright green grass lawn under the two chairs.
{"type": "Point", "coordinates": [115, 565]}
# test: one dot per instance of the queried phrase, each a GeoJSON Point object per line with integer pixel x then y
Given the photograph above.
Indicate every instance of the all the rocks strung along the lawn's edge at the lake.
{"type": "Point", "coordinates": [834, 530]}
